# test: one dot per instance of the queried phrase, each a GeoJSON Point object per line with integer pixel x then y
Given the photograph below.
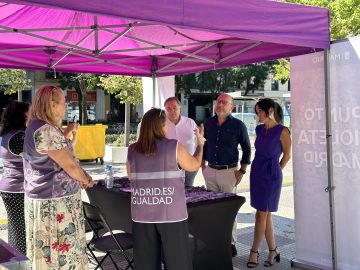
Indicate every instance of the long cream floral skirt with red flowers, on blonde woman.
{"type": "Point", "coordinates": [55, 233]}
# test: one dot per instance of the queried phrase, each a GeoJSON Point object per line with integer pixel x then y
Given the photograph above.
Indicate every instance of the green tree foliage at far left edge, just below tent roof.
{"type": "Point", "coordinates": [13, 80]}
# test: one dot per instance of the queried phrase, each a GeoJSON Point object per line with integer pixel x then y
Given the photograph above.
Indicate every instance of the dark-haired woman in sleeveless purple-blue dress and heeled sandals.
{"type": "Point", "coordinates": [273, 151]}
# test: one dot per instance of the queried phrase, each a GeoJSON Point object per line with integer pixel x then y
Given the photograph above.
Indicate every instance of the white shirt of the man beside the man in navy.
{"type": "Point", "coordinates": [184, 133]}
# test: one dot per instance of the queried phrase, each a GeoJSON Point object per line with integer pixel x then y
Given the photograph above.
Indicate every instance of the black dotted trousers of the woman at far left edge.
{"type": "Point", "coordinates": [14, 205]}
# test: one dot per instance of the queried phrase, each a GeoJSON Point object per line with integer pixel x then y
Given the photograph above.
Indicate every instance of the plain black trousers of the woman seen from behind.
{"type": "Point", "coordinates": [154, 242]}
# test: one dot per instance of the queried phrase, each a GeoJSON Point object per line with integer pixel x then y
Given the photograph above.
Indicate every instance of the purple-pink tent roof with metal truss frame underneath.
{"type": "Point", "coordinates": [157, 37]}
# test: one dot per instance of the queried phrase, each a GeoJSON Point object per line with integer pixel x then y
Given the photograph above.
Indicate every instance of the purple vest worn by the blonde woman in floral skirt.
{"type": "Point", "coordinates": [44, 179]}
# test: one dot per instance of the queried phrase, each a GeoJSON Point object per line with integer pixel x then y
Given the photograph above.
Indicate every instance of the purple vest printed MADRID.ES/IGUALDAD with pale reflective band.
{"type": "Point", "coordinates": [157, 185]}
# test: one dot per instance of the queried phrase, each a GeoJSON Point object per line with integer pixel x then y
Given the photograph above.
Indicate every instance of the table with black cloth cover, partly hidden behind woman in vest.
{"type": "Point", "coordinates": [210, 221]}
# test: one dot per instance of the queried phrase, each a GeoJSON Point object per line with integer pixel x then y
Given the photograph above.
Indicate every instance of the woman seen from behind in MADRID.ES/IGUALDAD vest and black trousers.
{"type": "Point", "coordinates": [158, 205]}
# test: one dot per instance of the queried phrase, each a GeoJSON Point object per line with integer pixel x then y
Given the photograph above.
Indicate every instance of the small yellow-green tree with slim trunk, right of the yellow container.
{"type": "Point", "coordinates": [128, 90]}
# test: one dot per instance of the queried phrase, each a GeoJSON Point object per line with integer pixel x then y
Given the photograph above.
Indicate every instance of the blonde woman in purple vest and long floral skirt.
{"type": "Point", "coordinates": [55, 230]}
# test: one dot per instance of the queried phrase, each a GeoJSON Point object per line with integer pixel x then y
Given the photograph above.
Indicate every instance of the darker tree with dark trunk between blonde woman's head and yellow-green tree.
{"type": "Point", "coordinates": [81, 82]}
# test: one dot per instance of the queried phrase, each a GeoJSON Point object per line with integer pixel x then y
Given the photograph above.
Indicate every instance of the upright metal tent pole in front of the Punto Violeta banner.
{"type": "Point", "coordinates": [330, 188]}
